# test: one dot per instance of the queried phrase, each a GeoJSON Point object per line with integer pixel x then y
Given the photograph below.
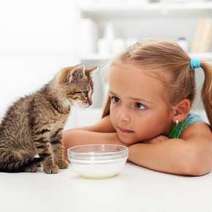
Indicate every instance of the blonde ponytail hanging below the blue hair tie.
{"type": "Point", "coordinates": [207, 90]}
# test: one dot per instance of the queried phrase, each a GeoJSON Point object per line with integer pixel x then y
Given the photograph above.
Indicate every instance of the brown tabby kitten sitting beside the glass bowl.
{"type": "Point", "coordinates": [31, 131]}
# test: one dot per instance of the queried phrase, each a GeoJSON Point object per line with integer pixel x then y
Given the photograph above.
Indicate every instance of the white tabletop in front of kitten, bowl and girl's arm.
{"type": "Point", "coordinates": [136, 189]}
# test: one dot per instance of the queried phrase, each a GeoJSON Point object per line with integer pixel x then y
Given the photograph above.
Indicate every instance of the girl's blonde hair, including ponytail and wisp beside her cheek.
{"type": "Point", "coordinates": [175, 63]}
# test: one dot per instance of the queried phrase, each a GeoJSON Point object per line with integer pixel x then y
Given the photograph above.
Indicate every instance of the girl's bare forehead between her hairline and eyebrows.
{"type": "Point", "coordinates": [133, 82]}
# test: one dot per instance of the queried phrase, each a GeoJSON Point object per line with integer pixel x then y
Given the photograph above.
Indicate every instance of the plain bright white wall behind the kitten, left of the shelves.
{"type": "Point", "coordinates": [37, 38]}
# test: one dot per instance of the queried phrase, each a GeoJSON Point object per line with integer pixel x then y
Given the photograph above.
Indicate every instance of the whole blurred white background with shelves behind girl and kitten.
{"type": "Point", "coordinates": [37, 38]}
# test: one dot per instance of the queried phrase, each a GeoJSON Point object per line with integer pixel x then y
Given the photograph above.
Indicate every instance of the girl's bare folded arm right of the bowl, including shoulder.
{"type": "Point", "coordinates": [191, 155]}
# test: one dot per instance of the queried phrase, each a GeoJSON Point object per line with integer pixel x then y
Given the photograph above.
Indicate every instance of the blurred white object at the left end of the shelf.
{"type": "Point", "coordinates": [88, 36]}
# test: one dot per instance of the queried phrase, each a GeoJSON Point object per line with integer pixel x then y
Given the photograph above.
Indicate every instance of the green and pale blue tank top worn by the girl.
{"type": "Point", "coordinates": [178, 129]}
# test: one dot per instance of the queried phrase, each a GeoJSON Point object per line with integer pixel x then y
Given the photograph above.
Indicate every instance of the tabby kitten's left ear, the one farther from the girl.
{"type": "Point", "coordinates": [77, 73]}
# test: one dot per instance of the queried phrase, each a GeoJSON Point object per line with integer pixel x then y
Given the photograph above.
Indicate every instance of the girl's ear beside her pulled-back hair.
{"type": "Point", "coordinates": [181, 110]}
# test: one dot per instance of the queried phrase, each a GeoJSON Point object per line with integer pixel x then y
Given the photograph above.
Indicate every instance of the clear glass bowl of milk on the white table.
{"type": "Point", "coordinates": [98, 160]}
